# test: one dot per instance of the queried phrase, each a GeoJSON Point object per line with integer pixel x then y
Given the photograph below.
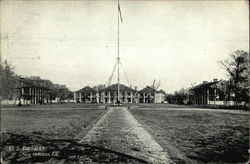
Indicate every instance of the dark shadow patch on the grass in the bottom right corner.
{"type": "Point", "coordinates": [223, 148]}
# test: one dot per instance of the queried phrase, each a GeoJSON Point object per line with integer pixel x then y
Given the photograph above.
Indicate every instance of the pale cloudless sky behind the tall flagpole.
{"type": "Point", "coordinates": [75, 42]}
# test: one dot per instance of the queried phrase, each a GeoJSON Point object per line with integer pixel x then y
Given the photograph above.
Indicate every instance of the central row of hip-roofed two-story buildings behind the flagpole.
{"type": "Point", "coordinates": [126, 95]}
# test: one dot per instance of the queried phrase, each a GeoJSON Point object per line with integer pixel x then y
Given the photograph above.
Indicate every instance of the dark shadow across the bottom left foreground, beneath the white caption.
{"type": "Point", "coordinates": [31, 149]}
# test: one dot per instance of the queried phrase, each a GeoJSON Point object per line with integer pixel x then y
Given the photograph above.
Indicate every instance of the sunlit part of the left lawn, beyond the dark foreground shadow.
{"type": "Point", "coordinates": [50, 121]}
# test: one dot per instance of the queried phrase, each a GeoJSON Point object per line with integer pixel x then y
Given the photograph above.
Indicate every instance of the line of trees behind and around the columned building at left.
{"type": "Point", "coordinates": [10, 81]}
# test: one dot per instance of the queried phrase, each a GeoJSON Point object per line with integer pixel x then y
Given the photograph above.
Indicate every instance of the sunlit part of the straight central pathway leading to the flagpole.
{"type": "Point", "coordinates": [118, 130]}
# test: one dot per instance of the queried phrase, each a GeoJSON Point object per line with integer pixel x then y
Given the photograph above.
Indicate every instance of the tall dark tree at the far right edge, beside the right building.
{"type": "Point", "coordinates": [237, 67]}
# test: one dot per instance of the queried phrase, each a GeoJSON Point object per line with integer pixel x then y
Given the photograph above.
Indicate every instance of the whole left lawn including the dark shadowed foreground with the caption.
{"type": "Point", "coordinates": [50, 134]}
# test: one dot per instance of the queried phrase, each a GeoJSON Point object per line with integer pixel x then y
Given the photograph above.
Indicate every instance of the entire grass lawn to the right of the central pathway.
{"type": "Point", "coordinates": [198, 135]}
